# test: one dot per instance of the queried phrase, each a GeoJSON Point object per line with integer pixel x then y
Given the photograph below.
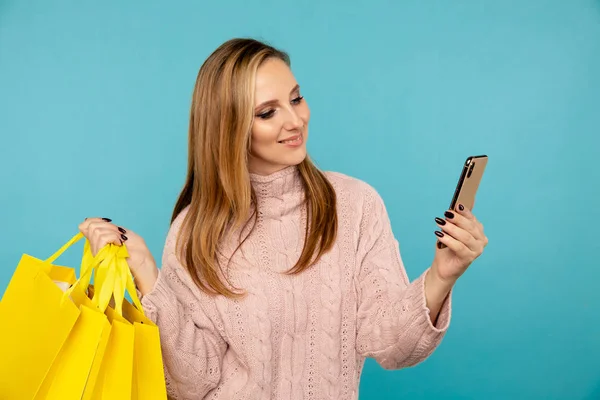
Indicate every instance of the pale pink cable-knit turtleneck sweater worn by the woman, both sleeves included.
{"type": "Point", "coordinates": [294, 336]}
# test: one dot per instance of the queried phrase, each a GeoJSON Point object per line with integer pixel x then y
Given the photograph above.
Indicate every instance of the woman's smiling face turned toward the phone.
{"type": "Point", "coordinates": [281, 115]}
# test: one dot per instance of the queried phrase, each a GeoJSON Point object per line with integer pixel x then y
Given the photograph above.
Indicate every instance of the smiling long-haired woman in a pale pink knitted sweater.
{"type": "Point", "coordinates": [277, 280]}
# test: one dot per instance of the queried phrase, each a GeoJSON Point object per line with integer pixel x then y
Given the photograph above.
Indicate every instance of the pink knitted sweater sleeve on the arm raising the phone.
{"type": "Point", "coordinates": [394, 325]}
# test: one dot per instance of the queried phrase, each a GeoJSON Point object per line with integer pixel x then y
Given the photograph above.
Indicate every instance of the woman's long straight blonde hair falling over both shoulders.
{"type": "Point", "coordinates": [218, 188]}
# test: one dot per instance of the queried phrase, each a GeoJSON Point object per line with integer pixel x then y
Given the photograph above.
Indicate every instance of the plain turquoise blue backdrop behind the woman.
{"type": "Point", "coordinates": [94, 103]}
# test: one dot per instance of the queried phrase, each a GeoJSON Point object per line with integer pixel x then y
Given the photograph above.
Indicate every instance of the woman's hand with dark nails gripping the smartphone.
{"type": "Point", "coordinates": [464, 239]}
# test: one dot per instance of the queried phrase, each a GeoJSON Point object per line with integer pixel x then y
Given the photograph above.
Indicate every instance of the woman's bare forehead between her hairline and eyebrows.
{"type": "Point", "coordinates": [273, 79]}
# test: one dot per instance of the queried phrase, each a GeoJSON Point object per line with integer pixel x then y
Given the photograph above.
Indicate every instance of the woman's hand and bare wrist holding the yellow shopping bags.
{"type": "Point", "coordinates": [101, 232]}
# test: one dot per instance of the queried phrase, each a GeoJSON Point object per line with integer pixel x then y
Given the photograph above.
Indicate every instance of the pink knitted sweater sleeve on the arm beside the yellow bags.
{"type": "Point", "coordinates": [192, 347]}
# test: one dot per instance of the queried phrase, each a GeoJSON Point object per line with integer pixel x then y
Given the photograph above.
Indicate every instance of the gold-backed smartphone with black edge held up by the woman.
{"type": "Point", "coordinates": [468, 183]}
